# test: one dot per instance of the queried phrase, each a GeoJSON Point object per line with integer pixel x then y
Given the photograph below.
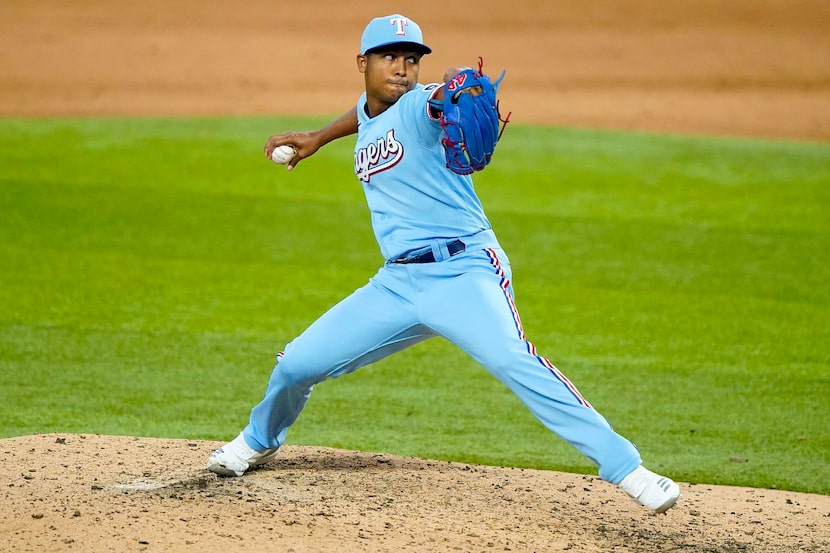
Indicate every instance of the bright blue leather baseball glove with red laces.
{"type": "Point", "coordinates": [471, 120]}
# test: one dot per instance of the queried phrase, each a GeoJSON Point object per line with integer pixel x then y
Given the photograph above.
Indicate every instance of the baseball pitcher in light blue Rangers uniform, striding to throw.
{"type": "Point", "coordinates": [445, 273]}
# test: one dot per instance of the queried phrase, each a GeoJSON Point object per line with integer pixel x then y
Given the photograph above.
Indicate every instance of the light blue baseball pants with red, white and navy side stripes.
{"type": "Point", "coordinates": [467, 299]}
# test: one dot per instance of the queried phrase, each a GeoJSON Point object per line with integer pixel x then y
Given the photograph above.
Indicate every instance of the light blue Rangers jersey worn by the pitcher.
{"type": "Point", "coordinates": [413, 198]}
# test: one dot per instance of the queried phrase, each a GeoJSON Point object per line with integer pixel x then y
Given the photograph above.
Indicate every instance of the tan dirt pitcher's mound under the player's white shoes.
{"type": "Point", "coordinates": [67, 492]}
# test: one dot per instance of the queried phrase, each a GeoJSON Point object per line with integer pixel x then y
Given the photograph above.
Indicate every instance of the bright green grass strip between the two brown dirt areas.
{"type": "Point", "coordinates": [152, 268]}
